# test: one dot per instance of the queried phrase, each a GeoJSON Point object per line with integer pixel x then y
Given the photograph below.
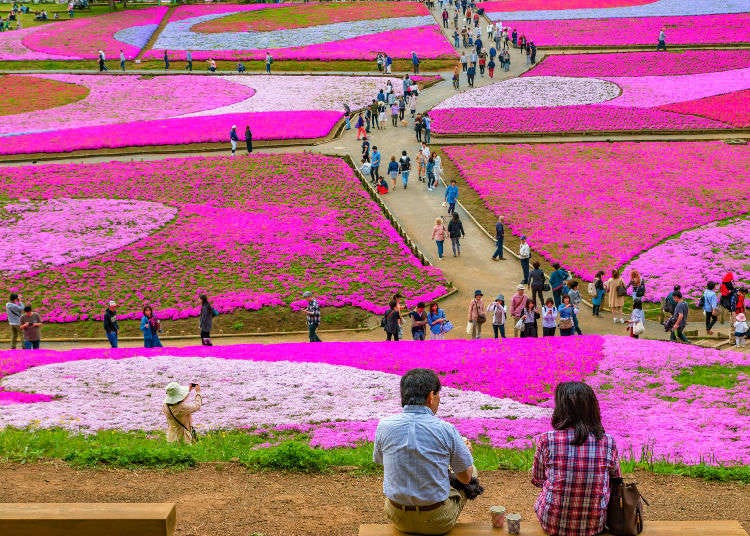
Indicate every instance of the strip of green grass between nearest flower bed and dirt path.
{"type": "Point", "coordinates": [269, 450]}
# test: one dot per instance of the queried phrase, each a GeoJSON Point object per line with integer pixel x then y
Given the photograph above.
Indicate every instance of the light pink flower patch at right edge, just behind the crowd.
{"type": "Point", "coordinates": [695, 257]}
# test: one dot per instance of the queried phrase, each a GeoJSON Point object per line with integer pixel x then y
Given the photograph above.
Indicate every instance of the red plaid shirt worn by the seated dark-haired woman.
{"type": "Point", "coordinates": [574, 482]}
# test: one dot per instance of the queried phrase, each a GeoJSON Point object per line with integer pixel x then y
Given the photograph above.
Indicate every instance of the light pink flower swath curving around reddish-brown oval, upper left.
{"type": "Point", "coordinates": [111, 100]}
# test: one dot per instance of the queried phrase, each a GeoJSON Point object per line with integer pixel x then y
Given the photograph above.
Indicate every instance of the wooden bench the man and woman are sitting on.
{"type": "Point", "coordinates": [652, 528]}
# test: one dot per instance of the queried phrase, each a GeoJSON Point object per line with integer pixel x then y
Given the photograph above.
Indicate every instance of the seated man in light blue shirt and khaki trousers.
{"type": "Point", "coordinates": [419, 452]}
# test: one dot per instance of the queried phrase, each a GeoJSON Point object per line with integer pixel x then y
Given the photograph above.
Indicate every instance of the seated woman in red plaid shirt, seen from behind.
{"type": "Point", "coordinates": [573, 465]}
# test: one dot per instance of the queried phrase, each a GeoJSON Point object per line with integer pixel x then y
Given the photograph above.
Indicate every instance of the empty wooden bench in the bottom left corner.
{"type": "Point", "coordinates": [87, 519]}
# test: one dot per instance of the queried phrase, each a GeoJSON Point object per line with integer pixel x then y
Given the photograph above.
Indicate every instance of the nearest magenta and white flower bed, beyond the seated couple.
{"type": "Point", "coordinates": [490, 390]}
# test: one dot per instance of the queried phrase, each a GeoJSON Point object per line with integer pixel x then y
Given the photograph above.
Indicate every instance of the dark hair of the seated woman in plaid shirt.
{"type": "Point", "coordinates": [576, 407]}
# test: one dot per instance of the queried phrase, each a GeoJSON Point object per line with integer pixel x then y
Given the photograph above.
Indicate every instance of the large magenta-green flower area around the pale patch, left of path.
{"type": "Point", "coordinates": [325, 234]}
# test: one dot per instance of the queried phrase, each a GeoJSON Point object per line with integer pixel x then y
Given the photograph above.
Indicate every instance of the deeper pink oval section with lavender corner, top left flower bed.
{"type": "Point", "coordinates": [82, 38]}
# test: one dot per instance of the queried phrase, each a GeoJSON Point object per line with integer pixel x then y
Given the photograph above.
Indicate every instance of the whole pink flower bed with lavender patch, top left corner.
{"type": "Point", "coordinates": [82, 38]}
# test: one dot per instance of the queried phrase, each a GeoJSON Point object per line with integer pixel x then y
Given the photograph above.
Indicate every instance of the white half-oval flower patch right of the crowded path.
{"type": "Point", "coordinates": [535, 92]}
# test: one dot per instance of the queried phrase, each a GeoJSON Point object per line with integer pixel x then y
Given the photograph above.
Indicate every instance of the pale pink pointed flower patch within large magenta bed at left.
{"type": "Point", "coordinates": [68, 230]}
